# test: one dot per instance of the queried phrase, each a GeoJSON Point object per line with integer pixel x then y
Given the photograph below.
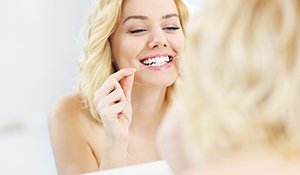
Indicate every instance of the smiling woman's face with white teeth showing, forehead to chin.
{"type": "Point", "coordinates": [149, 37]}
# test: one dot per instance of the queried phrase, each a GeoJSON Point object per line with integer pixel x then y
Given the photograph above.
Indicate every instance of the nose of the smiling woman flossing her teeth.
{"type": "Point", "coordinates": [157, 39]}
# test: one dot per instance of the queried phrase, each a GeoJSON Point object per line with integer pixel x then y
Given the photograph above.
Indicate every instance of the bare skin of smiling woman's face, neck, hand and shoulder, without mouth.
{"type": "Point", "coordinates": [131, 102]}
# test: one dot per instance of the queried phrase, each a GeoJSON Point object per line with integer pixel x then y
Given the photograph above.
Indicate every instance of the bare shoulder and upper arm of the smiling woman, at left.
{"type": "Point", "coordinates": [72, 128]}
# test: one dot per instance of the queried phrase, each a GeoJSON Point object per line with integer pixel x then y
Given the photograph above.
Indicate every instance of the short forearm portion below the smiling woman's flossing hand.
{"type": "Point", "coordinates": [114, 155]}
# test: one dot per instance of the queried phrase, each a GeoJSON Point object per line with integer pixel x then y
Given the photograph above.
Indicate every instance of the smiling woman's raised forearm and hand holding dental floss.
{"type": "Point", "coordinates": [112, 101]}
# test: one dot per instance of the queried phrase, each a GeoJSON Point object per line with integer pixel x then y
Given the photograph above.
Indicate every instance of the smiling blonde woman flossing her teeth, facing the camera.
{"type": "Point", "coordinates": [127, 75]}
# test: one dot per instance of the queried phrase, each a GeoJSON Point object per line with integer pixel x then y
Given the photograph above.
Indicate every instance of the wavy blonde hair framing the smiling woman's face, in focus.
{"type": "Point", "coordinates": [96, 65]}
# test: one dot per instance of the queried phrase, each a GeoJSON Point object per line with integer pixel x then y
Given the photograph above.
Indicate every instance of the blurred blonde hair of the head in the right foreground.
{"type": "Point", "coordinates": [241, 78]}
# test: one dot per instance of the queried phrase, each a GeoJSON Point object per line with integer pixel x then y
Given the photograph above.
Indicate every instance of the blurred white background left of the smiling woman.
{"type": "Point", "coordinates": [40, 43]}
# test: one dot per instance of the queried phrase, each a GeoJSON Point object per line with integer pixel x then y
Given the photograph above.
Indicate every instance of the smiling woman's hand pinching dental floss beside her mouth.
{"type": "Point", "coordinates": [112, 102]}
